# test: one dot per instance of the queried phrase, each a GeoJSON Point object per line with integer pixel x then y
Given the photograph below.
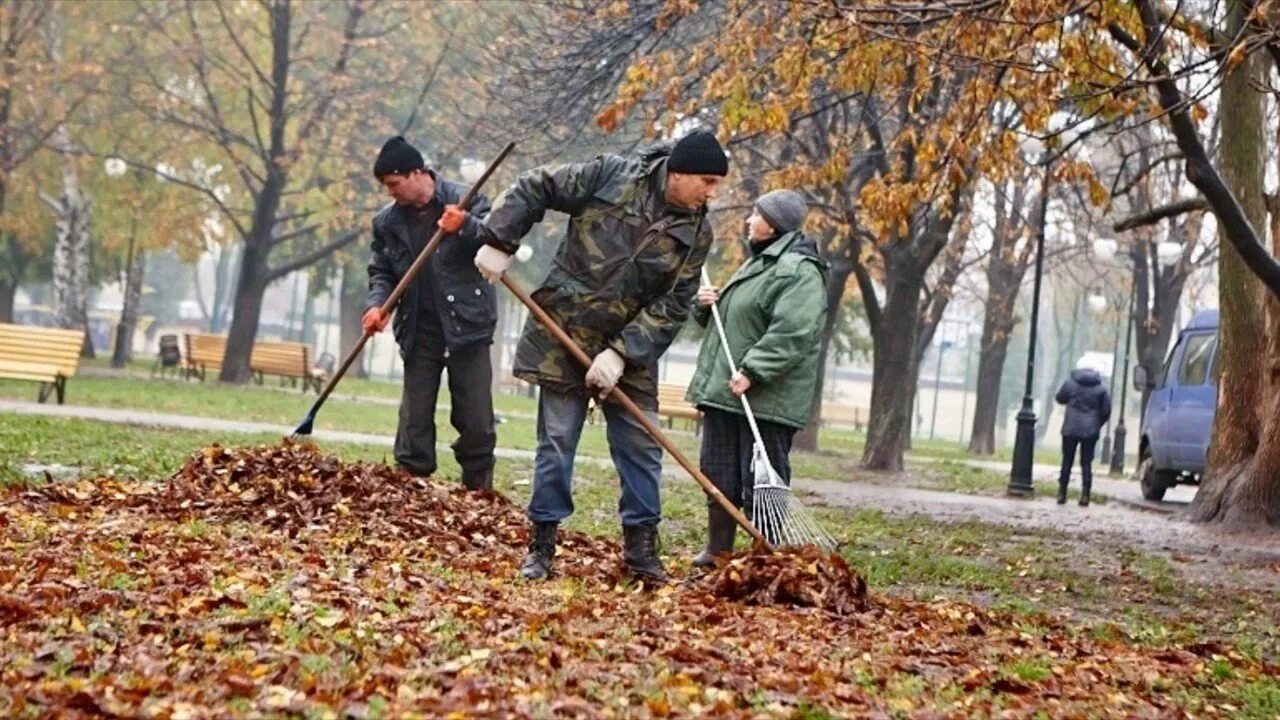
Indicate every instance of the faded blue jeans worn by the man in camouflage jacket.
{"type": "Point", "coordinates": [637, 457]}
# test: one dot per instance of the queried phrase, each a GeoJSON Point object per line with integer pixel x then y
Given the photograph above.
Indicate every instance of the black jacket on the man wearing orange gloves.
{"type": "Point", "coordinates": [467, 306]}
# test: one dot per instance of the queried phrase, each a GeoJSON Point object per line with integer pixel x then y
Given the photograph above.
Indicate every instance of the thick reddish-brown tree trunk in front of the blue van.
{"type": "Point", "coordinates": [1242, 482]}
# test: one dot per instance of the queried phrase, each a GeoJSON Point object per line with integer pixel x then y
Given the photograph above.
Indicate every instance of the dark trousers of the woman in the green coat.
{"type": "Point", "coordinates": [728, 452]}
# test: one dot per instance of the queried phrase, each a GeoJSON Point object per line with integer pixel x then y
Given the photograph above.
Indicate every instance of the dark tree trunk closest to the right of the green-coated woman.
{"type": "Point", "coordinates": [895, 372]}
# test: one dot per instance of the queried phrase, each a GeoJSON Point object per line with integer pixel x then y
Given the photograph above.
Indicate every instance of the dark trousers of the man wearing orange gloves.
{"type": "Point", "coordinates": [472, 399]}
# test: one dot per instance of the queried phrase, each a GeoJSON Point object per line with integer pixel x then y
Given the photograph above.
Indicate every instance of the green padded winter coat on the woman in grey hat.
{"type": "Point", "coordinates": [774, 311]}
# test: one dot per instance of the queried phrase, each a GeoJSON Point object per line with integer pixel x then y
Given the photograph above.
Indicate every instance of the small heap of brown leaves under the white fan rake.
{"type": "Point", "coordinates": [794, 576]}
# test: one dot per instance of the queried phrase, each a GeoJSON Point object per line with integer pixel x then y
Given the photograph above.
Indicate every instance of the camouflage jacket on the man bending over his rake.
{"type": "Point", "coordinates": [623, 277]}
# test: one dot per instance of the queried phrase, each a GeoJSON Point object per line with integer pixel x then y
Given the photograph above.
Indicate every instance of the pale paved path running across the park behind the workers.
{"type": "Point", "coordinates": [1114, 521]}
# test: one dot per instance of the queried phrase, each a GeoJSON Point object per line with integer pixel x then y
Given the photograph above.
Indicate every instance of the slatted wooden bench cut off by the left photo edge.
{"type": "Point", "coordinates": [45, 356]}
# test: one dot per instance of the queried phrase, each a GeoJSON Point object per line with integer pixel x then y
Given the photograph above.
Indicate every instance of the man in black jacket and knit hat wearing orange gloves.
{"type": "Point", "coordinates": [445, 321]}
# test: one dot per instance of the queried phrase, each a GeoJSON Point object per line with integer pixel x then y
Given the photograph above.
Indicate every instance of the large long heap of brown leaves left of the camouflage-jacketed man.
{"type": "Point", "coordinates": [298, 489]}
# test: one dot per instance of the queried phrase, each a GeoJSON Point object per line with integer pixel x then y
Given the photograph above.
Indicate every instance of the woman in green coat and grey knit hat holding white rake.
{"type": "Point", "coordinates": [774, 311]}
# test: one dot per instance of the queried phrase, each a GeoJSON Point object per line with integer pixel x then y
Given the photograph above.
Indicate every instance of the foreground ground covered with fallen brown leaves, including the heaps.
{"type": "Point", "coordinates": [282, 582]}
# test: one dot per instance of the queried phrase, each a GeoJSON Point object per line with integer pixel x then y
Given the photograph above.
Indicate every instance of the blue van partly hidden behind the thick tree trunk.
{"type": "Point", "coordinates": [1180, 420]}
